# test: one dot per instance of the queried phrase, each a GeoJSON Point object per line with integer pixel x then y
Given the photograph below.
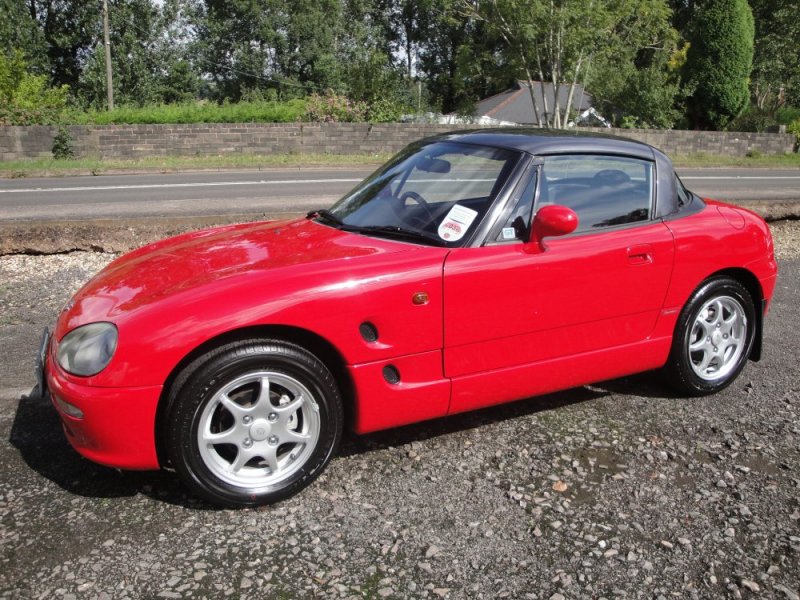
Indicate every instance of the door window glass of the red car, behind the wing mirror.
{"type": "Point", "coordinates": [604, 191]}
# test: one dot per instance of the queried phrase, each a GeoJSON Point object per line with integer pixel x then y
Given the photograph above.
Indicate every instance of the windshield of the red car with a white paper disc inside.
{"type": "Point", "coordinates": [435, 194]}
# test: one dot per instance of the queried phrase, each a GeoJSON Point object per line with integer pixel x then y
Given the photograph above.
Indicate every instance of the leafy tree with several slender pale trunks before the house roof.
{"type": "Point", "coordinates": [560, 41]}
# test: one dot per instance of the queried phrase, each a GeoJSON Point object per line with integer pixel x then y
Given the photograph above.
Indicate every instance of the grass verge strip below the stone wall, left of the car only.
{"type": "Point", "coordinates": [96, 166]}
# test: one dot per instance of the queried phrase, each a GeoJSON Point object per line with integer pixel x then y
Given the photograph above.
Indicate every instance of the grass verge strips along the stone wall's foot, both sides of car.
{"type": "Point", "coordinates": [95, 166]}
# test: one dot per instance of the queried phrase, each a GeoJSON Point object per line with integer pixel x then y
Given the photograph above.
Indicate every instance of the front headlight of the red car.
{"type": "Point", "coordinates": [87, 350]}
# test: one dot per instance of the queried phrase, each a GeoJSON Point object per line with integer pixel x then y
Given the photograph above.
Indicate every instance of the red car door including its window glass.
{"type": "Point", "coordinates": [511, 304]}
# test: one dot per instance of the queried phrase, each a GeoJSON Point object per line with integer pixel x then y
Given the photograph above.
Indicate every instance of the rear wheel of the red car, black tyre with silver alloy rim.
{"type": "Point", "coordinates": [713, 338]}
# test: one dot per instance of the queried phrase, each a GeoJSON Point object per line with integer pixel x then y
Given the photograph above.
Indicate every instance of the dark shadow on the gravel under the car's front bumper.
{"type": "Point", "coordinates": [38, 436]}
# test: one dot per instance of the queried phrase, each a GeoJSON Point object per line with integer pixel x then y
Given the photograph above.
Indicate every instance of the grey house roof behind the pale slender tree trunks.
{"type": "Point", "coordinates": [515, 105]}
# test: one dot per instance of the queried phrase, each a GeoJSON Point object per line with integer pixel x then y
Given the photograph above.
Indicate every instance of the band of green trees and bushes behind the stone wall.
{"type": "Point", "coordinates": [390, 57]}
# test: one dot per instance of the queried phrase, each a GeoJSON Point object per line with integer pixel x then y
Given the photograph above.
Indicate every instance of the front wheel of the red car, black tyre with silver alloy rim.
{"type": "Point", "coordinates": [253, 422]}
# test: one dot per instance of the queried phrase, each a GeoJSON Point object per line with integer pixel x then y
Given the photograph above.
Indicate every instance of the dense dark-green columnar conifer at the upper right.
{"type": "Point", "coordinates": [718, 63]}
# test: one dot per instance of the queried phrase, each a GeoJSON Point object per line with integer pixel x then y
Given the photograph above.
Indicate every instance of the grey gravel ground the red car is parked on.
{"type": "Point", "coordinates": [615, 490]}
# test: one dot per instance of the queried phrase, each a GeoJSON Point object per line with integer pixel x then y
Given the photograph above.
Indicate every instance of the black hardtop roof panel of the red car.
{"type": "Point", "coordinates": [550, 141]}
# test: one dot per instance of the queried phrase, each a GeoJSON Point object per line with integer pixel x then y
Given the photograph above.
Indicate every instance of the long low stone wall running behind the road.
{"type": "Point", "coordinates": [133, 141]}
